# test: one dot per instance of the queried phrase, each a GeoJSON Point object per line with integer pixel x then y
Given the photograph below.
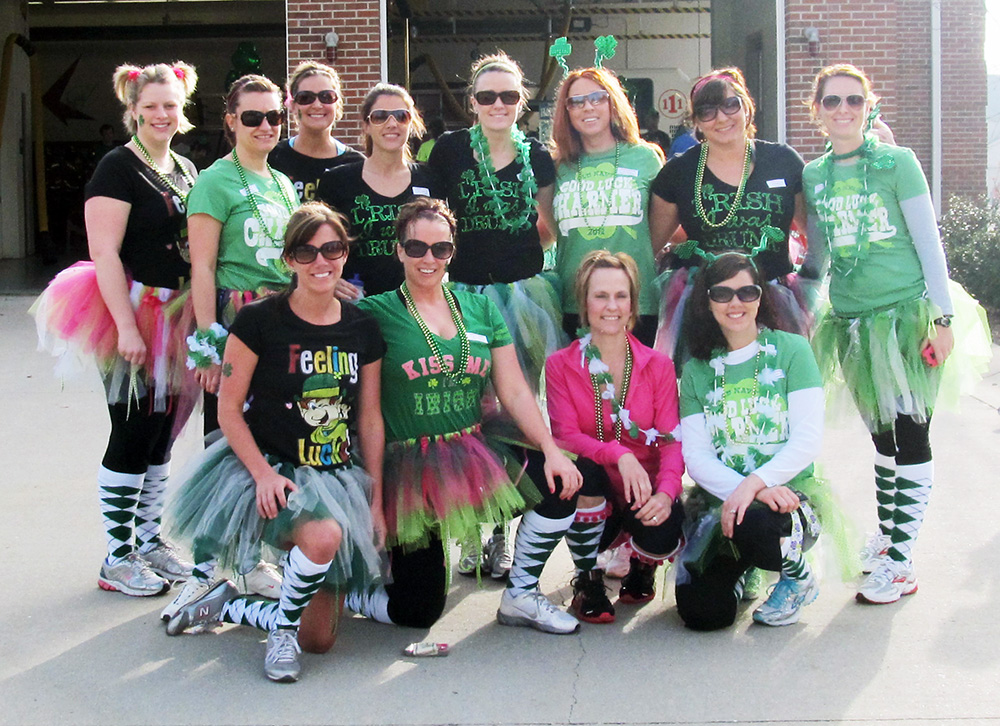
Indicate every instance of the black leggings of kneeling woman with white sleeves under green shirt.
{"type": "Point", "coordinates": [707, 600]}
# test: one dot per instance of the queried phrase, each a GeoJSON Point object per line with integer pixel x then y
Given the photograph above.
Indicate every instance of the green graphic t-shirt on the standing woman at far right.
{"type": "Point", "coordinates": [887, 269]}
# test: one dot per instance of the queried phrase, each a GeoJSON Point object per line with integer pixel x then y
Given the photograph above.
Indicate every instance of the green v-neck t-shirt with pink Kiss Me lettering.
{"type": "Point", "coordinates": [418, 399]}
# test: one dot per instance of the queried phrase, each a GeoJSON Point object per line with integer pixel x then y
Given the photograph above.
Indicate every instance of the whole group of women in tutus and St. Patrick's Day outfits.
{"type": "Point", "coordinates": [364, 402]}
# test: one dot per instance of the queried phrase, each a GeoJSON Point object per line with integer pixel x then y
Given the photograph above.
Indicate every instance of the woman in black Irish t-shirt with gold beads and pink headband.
{"type": "Point", "coordinates": [727, 193]}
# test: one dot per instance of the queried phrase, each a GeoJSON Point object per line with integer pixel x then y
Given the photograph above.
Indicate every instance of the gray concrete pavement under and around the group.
{"type": "Point", "coordinates": [73, 654]}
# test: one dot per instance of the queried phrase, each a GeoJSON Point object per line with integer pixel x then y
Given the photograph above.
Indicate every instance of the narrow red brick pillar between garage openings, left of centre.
{"type": "Point", "coordinates": [358, 53]}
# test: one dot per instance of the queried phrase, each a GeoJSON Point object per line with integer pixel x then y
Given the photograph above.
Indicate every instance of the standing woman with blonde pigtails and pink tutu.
{"type": "Point", "coordinates": [120, 309]}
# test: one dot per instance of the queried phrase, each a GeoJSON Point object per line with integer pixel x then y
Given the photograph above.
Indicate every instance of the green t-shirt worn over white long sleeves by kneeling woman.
{"type": "Point", "coordinates": [748, 430]}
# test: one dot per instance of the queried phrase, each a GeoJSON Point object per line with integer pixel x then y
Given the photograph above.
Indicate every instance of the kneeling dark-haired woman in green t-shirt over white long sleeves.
{"type": "Point", "coordinates": [752, 425]}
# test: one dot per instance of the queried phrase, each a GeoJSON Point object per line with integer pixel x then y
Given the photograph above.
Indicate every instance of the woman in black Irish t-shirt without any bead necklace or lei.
{"type": "Point", "coordinates": [370, 192]}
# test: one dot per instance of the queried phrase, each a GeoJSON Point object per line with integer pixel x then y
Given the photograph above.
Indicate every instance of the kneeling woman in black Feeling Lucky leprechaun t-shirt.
{"type": "Point", "coordinates": [309, 365]}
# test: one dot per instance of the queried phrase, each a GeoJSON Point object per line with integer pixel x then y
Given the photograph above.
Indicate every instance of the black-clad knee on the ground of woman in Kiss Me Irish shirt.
{"type": "Point", "coordinates": [417, 592]}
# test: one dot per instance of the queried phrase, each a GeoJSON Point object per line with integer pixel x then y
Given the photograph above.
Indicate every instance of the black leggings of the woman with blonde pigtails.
{"type": "Point", "coordinates": [140, 437]}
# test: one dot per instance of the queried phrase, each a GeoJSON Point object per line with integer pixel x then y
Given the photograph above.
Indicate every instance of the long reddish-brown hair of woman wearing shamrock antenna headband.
{"type": "Point", "coordinates": [566, 145]}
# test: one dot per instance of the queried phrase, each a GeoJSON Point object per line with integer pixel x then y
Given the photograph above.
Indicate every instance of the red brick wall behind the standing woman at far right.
{"type": "Point", "coordinates": [891, 41]}
